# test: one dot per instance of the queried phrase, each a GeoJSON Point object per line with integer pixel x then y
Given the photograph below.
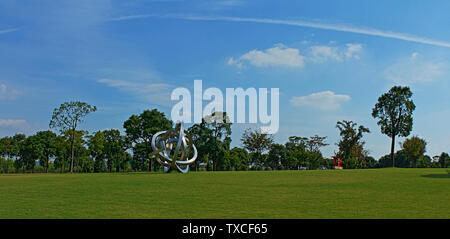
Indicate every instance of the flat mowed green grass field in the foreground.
{"type": "Point", "coordinates": [371, 193]}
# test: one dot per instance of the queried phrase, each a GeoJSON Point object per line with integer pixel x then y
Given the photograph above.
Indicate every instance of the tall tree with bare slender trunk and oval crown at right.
{"type": "Point", "coordinates": [394, 111]}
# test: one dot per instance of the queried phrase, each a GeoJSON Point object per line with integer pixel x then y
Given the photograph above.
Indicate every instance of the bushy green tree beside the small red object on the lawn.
{"type": "Point", "coordinates": [351, 145]}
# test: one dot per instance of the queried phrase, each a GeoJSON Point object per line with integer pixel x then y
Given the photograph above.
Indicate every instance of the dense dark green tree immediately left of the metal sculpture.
{"type": "Point", "coordinates": [139, 131]}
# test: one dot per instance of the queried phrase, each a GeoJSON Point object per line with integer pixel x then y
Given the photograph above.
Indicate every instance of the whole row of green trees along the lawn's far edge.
{"type": "Point", "coordinates": [75, 150]}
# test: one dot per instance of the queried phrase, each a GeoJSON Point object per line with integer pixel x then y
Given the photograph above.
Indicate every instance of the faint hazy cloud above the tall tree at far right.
{"type": "Point", "coordinates": [414, 70]}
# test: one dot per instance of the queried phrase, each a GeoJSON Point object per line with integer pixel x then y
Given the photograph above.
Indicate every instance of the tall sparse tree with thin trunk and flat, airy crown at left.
{"type": "Point", "coordinates": [67, 117]}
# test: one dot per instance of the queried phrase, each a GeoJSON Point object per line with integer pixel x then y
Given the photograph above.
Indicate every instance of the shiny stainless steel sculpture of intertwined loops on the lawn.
{"type": "Point", "coordinates": [172, 149]}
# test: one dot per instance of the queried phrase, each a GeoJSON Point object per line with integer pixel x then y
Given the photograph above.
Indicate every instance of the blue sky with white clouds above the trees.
{"type": "Point", "coordinates": [330, 59]}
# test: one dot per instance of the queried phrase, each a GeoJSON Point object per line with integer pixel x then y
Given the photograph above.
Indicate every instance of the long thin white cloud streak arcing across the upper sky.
{"type": "Point", "coordinates": [299, 23]}
